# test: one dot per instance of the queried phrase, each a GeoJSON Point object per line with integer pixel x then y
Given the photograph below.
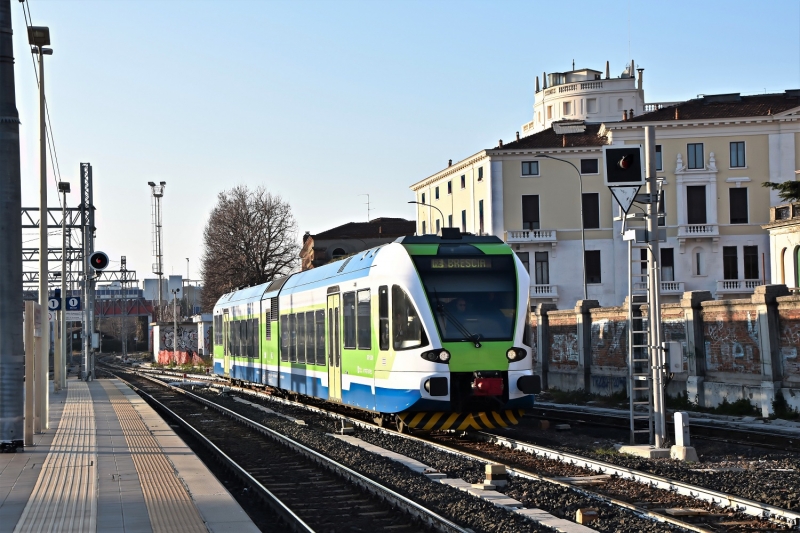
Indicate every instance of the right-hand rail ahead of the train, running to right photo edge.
{"type": "Point", "coordinates": [750, 507]}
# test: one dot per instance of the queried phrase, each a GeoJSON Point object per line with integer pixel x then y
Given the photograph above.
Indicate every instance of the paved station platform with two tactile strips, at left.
{"type": "Point", "coordinates": [110, 463]}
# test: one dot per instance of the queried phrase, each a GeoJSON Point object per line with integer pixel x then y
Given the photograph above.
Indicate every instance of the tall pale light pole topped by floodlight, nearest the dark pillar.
{"type": "Point", "coordinates": [39, 37]}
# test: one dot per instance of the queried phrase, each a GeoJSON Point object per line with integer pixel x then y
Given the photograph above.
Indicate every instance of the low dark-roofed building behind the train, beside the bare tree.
{"type": "Point", "coordinates": [351, 238]}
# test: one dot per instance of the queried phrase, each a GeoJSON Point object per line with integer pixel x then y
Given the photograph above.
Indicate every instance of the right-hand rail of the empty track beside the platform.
{"type": "Point", "coordinates": [414, 509]}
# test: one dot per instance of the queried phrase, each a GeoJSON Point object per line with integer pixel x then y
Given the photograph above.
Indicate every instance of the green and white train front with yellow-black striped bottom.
{"type": "Point", "coordinates": [477, 294]}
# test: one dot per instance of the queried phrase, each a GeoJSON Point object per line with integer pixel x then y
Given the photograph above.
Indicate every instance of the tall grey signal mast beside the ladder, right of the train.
{"type": "Point", "coordinates": [654, 311]}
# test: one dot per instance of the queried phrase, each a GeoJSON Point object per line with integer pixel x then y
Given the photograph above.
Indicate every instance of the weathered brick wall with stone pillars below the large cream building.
{"type": "Point", "coordinates": [732, 349]}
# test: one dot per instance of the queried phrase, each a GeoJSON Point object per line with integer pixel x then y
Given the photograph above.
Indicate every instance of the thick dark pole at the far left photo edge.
{"type": "Point", "coordinates": [12, 355]}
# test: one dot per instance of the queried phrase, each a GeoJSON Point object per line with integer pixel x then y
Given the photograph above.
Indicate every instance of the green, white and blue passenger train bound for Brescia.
{"type": "Point", "coordinates": [429, 332]}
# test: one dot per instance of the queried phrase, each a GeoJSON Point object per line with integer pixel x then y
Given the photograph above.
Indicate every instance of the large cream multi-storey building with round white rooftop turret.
{"type": "Point", "coordinates": [712, 155]}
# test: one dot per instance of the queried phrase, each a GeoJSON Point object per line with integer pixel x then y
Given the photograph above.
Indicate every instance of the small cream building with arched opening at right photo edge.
{"type": "Point", "coordinates": [784, 244]}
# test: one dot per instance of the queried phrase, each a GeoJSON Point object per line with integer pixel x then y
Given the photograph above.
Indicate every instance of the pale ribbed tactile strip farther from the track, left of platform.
{"type": "Point", "coordinates": [64, 498]}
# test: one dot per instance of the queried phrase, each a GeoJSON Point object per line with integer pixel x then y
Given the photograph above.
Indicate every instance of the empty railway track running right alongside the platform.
{"type": "Point", "coordinates": [309, 491]}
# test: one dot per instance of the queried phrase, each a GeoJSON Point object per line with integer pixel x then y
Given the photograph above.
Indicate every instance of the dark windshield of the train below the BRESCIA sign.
{"type": "Point", "coordinates": [473, 298]}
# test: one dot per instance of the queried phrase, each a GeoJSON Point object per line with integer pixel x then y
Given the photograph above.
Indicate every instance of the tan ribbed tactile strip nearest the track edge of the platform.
{"type": "Point", "coordinates": [169, 505]}
